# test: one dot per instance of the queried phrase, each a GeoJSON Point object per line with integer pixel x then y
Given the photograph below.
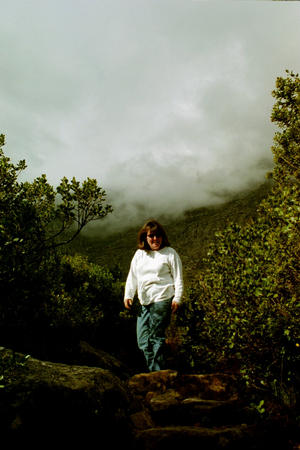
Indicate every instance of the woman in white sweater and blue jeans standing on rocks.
{"type": "Point", "coordinates": [156, 275]}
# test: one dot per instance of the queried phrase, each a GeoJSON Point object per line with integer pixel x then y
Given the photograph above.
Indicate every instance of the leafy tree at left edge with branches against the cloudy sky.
{"type": "Point", "coordinates": [37, 215]}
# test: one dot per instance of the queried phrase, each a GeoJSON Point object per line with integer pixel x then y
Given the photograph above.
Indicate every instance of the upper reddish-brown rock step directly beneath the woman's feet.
{"type": "Point", "coordinates": [175, 399]}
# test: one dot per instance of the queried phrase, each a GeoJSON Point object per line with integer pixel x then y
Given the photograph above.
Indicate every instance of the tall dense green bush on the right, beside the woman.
{"type": "Point", "coordinates": [243, 311]}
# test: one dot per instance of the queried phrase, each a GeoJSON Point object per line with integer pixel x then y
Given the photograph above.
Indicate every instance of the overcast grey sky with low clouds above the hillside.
{"type": "Point", "coordinates": [166, 103]}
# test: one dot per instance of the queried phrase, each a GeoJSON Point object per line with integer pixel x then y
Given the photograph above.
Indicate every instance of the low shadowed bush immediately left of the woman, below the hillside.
{"type": "Point", "coordinates": [87, 302]}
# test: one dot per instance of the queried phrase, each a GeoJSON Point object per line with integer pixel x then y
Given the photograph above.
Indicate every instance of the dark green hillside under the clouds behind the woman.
{"type": "Point", "coordinates": [189, 234]}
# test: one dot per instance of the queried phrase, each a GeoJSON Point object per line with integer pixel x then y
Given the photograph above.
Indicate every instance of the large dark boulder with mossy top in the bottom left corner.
{"type": "Point", "coordinates": [63, 401]}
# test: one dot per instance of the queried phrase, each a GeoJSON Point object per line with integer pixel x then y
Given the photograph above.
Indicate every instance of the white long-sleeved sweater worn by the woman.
{"type": "Point", "coordinates": [155, 275]}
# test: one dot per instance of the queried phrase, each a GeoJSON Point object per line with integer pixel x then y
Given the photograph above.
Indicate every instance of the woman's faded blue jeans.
{"type": "Point", "coordinates": [151, 326]}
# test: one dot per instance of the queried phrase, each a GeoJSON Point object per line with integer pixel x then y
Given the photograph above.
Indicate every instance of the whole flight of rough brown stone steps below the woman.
{"type": "Point", "coordinates": [176, 411]}
